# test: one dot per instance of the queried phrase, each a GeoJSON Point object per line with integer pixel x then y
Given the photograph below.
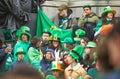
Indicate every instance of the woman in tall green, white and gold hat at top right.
{"type": "Point", "coordinates": [107, 19]}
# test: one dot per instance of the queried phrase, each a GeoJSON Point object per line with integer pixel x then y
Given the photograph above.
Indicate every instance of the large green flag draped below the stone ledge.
{"type": "Point", "coordinates": [44, 23]}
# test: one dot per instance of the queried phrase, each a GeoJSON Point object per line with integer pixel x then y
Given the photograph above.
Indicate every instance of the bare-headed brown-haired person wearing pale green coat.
{"type": "Point", "coordinates": [34, 54]}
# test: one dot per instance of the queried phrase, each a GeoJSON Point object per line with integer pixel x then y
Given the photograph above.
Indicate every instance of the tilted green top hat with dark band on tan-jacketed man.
{"type": "Point", "coordinates": [76, 52]}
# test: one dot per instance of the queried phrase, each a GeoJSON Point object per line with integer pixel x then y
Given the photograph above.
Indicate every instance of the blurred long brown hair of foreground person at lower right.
{"type": "Point", "coordinates": [103, 57]}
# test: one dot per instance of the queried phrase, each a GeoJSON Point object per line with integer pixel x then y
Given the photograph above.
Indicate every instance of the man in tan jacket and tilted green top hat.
{"type": "Point", "coordinates": [75, 69]}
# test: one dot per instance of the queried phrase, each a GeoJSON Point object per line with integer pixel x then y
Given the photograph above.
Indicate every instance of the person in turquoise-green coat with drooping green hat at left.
{"type": "Point", "coordinates": [24, 43]}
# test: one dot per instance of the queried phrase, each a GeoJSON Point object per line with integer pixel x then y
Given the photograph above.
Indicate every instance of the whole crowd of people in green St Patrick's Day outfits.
{"type": "Point", "coordinates": [91, 53]}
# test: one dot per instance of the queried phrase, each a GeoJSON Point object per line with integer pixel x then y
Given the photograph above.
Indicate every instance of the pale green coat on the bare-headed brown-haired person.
{"type": "Point", "coordinates": [34, 57]}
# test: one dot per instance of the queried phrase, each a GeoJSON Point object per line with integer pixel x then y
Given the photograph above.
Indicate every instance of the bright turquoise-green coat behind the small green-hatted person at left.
{"type": "Point", "coordinates": [25, 46]}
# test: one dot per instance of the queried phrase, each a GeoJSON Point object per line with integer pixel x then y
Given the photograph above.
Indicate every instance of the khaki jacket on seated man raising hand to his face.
{"type": "Point", "coordinates": [90, 18]}
